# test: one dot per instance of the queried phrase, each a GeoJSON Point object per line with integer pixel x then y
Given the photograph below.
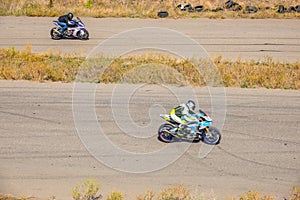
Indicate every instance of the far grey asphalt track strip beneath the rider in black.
{"type": "Point", "coordinates": [231, 38]}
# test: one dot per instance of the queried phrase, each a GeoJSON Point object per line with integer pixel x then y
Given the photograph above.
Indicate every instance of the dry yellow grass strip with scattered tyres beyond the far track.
{"type": "Point", "coordinates": [142, 8]}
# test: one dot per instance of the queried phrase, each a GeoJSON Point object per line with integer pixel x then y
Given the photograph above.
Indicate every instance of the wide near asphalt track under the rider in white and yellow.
{"type": "Point", "coordinates": [42, 154]}
